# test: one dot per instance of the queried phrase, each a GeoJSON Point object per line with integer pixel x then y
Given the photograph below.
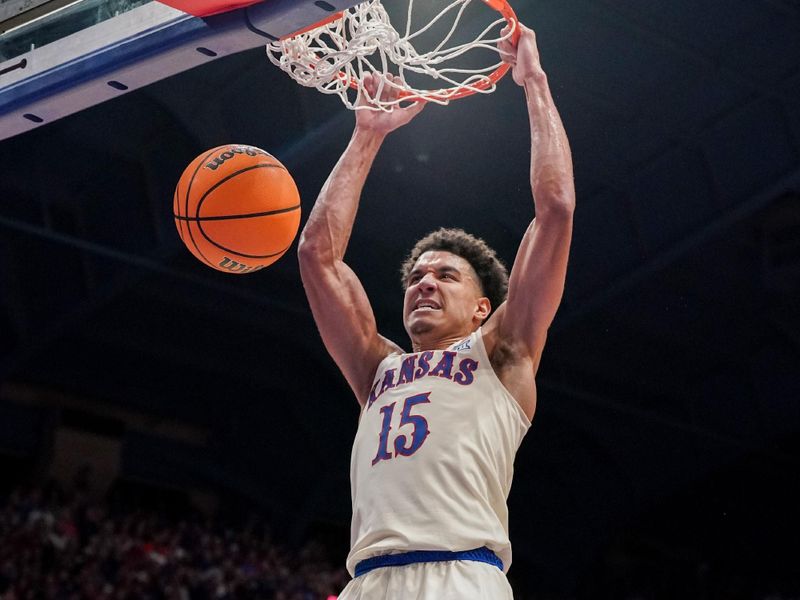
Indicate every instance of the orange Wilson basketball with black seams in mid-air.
{"type": "Point", "coordinates": [237, 208]}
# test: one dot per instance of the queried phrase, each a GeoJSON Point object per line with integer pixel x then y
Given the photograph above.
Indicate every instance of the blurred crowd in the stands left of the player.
{"type": "Point", "coordinates": [59, 545]}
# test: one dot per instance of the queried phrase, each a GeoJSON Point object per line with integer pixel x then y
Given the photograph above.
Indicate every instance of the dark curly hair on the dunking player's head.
{"type": "Point", "coordinates": [492, 273]}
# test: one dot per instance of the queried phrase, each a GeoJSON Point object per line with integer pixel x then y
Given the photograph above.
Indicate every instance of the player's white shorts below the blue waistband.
{"type": "Point", "coordinates": [443, 580]}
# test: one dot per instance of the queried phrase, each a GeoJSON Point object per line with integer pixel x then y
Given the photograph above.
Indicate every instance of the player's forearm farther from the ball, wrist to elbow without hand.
{"type": "Point", "coordinates": [551, 160]}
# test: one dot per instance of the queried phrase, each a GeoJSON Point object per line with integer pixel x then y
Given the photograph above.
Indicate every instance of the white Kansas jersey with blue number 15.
{"type": "Point", "coordinates": [433, 456]}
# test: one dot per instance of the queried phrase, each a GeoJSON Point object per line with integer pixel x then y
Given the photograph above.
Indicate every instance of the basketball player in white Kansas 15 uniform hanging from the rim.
{"type": "Point", "coordinates": [439, 427]}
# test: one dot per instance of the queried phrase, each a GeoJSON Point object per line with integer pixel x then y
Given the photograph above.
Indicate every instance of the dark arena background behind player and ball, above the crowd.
{"type": "Point", "coordinates": [665, 451]}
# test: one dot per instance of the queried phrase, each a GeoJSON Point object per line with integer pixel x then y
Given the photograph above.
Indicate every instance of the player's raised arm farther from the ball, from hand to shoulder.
{"type": "Point", "coordinates": [536, 283]}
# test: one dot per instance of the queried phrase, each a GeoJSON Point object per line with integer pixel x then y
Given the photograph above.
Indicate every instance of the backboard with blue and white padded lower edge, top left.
{"type": "Point", "coordinates": [88, 51]}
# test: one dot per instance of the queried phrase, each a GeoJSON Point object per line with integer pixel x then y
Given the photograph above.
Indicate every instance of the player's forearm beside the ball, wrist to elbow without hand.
{"type": "Point", "coordinates": [330, 223]}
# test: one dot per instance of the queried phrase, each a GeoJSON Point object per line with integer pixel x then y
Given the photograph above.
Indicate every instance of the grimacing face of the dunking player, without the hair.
{"type": "Point", "coordinates": [443, 295]}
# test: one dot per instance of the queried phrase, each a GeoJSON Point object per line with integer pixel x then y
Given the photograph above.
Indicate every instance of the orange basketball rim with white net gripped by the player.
{"type": "Point", "coordinates": [334, 56]}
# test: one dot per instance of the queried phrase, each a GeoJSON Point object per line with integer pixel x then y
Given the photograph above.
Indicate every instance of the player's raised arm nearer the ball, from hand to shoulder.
{"type": "Point", "coordinates": [338, 301]}
